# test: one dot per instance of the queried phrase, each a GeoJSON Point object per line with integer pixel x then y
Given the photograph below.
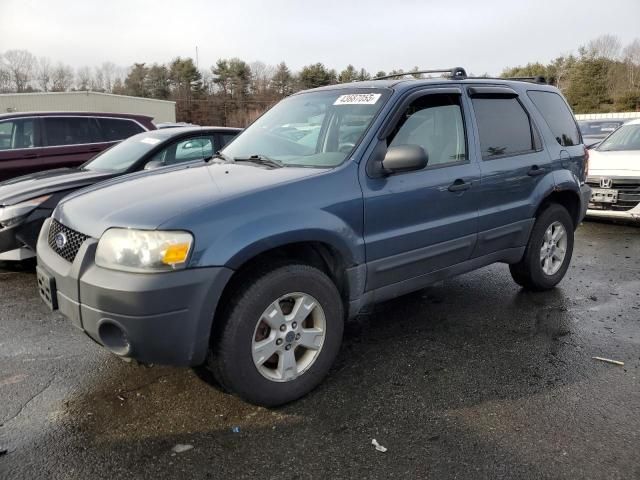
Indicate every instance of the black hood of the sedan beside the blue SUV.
{"type": "Point", "coordinates": [38, 184]}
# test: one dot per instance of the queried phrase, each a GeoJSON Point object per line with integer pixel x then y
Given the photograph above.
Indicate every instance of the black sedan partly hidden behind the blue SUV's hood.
{"type": "Point", "coordinates": [25, 202]}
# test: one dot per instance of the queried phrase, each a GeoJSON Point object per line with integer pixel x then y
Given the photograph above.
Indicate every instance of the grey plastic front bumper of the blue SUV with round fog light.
{"type": "Point", "coordinates": [162, 318]}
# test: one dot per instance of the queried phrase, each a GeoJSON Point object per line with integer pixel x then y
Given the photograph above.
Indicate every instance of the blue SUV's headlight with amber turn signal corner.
{"type": "Point", "coordinates": [143, 251]}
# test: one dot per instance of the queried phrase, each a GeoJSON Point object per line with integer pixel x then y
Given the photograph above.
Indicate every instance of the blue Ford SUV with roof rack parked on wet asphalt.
{"type": "Point", "coordinates": [336, 198]}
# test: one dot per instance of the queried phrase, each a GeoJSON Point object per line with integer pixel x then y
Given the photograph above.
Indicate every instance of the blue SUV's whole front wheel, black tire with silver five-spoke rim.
{"type": "Point", "coordinates": [234, 361]}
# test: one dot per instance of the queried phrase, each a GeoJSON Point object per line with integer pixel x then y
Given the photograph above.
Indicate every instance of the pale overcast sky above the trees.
{"type": "Point", "coordinates": [484, 36]}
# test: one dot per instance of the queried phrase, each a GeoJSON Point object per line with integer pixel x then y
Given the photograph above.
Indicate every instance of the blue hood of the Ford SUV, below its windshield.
{"type": "Point", "coordinates": [146, 200]}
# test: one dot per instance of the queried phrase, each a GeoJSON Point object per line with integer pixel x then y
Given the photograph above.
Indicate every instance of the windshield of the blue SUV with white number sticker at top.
{"type": "Point", "coordinates": [316, 129]}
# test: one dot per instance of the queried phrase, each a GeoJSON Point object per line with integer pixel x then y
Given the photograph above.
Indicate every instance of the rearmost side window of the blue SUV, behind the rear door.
{"type": "Point", "coordinates": [557, 115]}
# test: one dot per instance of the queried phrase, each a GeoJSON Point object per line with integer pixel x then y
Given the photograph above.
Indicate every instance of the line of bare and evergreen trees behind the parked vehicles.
{"type": "Point", "coordinates": [602, 76]}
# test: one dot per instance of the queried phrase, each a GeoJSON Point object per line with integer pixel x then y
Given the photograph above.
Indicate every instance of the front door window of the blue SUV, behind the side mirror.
{"type": "Point", "coordinates": [435, 123]}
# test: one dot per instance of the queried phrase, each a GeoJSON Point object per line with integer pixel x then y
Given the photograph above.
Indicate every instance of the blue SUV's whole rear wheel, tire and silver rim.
{"type": "Point", "coordinates": [532, 272]}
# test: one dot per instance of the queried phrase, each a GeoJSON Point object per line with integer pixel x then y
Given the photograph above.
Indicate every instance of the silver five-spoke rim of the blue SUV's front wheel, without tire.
{"type": "Point", "coordinates": [288, 337]}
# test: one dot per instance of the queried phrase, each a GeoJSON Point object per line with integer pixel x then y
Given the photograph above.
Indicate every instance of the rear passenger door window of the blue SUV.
{"type": "Point", "coordinates": [504, 127]}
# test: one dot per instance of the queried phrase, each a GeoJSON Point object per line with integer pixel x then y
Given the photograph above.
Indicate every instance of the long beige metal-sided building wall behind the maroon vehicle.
{"type": "Point", "coordinates": [160, 110]}
